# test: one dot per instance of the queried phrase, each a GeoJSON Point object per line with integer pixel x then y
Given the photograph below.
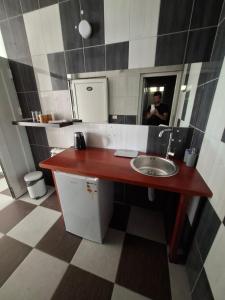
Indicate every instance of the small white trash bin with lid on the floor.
{"type": "Point", "coordinates": [35, 184]}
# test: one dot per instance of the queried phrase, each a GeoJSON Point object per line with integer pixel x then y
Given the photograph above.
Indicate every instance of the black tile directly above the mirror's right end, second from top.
{"type": "Point", "coordinates": [170, 49]}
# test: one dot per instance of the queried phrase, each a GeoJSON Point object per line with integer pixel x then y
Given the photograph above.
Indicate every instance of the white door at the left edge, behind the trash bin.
{"type": "Point", "coordinates": [15, 152]}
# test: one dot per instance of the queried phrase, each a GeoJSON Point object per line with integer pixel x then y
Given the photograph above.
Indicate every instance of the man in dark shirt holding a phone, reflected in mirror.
{"type": "Point", "coordinates": [158, 112]}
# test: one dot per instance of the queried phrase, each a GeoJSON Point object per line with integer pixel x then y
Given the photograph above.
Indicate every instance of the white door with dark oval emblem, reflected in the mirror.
{"type": "Point", "coordinates": [91, 96]}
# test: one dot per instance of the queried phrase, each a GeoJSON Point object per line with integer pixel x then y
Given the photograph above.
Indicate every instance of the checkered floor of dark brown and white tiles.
{"type": "Point", "coordinates": [40, 260]}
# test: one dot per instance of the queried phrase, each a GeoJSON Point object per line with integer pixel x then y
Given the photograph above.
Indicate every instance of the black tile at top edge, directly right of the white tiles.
{"type": "Point", "coordinates": [174, 16]}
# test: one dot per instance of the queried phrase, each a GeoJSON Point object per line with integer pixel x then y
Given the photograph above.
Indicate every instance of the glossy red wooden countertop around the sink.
{"type": "Point", "coordinates": [101, 163]}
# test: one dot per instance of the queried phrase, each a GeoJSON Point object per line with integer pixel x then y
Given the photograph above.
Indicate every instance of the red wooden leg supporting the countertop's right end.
{"type": "Point", "coordinates": [178, 227]}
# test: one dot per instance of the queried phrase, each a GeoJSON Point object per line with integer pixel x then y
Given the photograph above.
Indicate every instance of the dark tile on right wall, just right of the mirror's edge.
{"type": "Point", "coordinates": [202, 105]}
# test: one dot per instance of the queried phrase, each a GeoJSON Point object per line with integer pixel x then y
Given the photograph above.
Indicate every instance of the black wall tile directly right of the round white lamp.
{"type": "Point", "coordinates": [94, 13]}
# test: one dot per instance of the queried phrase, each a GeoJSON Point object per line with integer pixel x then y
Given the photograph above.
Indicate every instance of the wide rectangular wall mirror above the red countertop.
{"type": "Point", "coordinates": [147, 96]}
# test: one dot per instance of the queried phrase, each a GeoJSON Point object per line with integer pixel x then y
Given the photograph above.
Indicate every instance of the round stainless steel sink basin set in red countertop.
{"type": "Point", "coordinates": [154, 166]}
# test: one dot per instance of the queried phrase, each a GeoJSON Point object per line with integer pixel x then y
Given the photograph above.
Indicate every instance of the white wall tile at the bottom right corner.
{"type": "Point", "coordinates": [215, 265]}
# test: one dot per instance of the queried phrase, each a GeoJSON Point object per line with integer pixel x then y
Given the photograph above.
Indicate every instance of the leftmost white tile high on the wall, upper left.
{"type": "Point", "coordinates": [33, 26]}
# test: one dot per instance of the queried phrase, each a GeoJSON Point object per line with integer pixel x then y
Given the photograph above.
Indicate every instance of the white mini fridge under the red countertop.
{"type": "Point", "coordinates": [87, 204]}
